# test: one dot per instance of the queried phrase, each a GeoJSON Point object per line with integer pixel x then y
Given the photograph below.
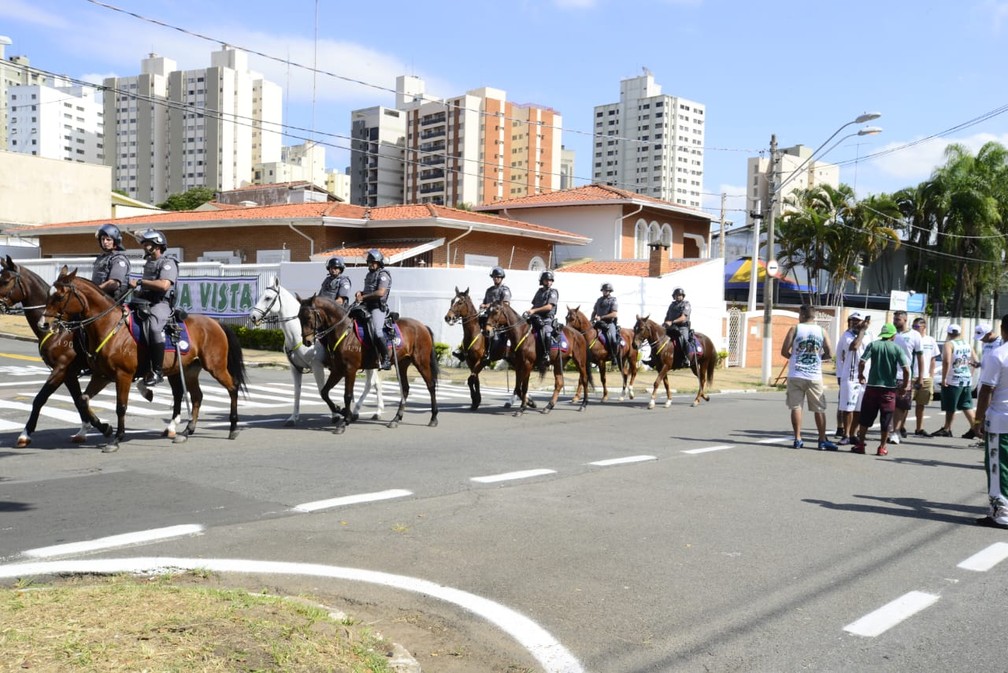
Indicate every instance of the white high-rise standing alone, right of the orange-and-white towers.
{"type": "Point", "coordinates": [651, 144]}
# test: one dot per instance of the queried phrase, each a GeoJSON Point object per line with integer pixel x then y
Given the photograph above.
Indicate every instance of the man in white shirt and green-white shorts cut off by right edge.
{"type": "Point", "coordinates": [992, 423]}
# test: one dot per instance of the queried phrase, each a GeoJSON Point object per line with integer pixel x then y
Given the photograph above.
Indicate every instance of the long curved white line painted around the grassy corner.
{"type": "Point", "coordinates": [551, 654]}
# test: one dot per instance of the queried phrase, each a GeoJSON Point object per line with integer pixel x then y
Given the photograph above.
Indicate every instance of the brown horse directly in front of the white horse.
{"type": "Point", "coordinates": [325, 321]}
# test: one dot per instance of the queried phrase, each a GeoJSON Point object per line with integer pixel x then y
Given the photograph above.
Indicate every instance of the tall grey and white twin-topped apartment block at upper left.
{"type": "Point", "coordinates": [169, 130]}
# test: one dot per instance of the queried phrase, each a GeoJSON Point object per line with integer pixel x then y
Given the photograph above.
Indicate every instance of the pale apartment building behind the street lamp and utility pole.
{"type": "Point", "coordinates": [790, 161]}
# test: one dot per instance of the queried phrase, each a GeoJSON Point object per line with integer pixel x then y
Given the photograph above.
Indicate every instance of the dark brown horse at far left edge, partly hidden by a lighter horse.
{"type": "Point", "coordinates": [20, 286]}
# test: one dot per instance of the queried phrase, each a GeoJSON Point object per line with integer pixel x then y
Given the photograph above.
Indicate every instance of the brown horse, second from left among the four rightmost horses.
{"type": "Point", "coordinates": [524, 357]}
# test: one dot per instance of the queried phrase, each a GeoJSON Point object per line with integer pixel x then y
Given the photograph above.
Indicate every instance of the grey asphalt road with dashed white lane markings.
{"type": "Point", "coordinates": [669, 541]}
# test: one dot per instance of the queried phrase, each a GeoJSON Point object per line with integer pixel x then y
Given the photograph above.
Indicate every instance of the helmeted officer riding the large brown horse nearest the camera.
{"type": "Point", "coordinates": [157, 287]}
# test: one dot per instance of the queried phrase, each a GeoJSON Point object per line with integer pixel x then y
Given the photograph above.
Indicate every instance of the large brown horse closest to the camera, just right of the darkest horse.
{"type": "Point", "coordinates": [116, 355]}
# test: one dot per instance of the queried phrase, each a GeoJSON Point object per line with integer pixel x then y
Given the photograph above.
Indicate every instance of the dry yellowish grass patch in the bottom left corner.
{"type": "Point", "coordinates": [171, 623]}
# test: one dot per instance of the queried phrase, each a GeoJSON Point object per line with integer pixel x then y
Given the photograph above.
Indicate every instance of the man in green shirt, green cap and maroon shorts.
{"type": "Point", "coordinates": [888, 360]}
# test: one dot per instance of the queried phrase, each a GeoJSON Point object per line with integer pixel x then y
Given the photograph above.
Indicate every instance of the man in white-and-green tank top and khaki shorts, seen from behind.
{"type": "Point", "coordinates": [806, 346]}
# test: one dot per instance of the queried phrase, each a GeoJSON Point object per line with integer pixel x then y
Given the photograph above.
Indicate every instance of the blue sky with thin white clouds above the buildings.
{"type": "Point", "coordinates": [800, 70]}
